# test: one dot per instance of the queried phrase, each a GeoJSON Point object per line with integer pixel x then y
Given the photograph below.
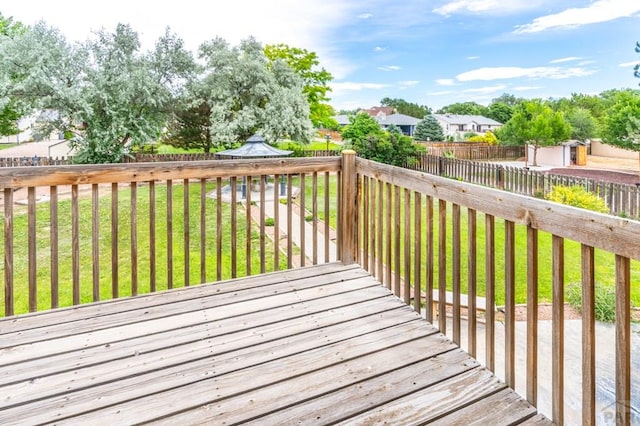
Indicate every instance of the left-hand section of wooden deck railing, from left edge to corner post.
{"type": "Point", "coordinates": [75, 234]}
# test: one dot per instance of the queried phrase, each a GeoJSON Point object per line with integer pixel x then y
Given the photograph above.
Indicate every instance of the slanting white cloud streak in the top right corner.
{"type": "Point", "coordinates": [596, 12]}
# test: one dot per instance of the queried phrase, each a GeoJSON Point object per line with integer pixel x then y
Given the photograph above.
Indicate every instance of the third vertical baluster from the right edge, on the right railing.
{"type": "Point", "coordinates": [557, 344]}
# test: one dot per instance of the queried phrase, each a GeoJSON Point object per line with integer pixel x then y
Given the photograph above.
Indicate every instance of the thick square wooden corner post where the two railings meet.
{"type": "Point", "coordinates": [348, 222]}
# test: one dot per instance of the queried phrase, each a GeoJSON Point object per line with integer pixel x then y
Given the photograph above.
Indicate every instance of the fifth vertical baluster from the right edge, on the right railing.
{"type": "Point", "coordinates": [510, 302]}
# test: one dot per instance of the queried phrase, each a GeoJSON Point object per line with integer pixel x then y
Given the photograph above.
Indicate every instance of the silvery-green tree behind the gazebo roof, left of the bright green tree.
{"type": "Point", "coordinates": [248, 94]}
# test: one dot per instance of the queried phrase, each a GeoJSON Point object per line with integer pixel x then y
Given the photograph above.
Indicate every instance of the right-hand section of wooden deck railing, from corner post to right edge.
{"type": "Point", "coordinates": [436, 238]}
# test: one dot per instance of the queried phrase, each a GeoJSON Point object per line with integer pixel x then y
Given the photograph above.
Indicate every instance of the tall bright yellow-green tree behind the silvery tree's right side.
{"type": "Point", "coordinates": [315, 80]}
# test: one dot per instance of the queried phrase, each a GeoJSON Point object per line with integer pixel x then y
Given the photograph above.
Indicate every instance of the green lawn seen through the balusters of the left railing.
{"type": "Point", "coordinates": [124, 245]}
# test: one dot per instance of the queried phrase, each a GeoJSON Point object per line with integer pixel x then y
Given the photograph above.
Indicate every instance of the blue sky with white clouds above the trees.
{"type": "Point", "coordinates": [429, 52]}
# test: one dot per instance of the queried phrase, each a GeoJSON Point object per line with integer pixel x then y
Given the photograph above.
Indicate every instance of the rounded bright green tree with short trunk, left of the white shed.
{"type": "Point", "coordinates": [535, 123]}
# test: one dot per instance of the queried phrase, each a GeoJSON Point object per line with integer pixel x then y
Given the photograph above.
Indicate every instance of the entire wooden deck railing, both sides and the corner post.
{"type": "Point", "coordinates": [118, 230]}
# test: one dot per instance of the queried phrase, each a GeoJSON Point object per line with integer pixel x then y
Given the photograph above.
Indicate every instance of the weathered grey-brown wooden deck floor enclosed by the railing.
{"type": "Point", "coordinates": [316, 345]}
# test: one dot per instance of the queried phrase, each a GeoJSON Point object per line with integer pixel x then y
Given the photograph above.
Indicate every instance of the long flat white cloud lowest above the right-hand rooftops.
{"type": "Point", "coordinates": [501, 73]}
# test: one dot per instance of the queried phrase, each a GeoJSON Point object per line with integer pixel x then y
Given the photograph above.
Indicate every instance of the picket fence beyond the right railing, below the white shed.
{"type": "Point", "coordinates": [622, 200]}
